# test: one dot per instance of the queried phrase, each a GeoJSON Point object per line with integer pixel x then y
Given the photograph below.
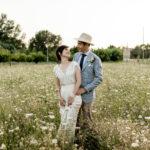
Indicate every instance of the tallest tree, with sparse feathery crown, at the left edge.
{"type": "Point", "coordinates": [10, 34]}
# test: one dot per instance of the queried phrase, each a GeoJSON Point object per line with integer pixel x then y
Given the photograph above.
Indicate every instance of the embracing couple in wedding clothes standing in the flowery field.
{"type": "Point", "coordinates": [75, 83]}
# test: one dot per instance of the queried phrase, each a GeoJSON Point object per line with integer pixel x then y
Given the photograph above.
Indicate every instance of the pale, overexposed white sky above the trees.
{"type": "Point", "coordinates": [109, 22]}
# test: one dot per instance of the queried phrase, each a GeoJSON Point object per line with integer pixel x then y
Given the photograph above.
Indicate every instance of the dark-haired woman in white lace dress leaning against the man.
{"type": "Point", "coordinates": [68, 80]}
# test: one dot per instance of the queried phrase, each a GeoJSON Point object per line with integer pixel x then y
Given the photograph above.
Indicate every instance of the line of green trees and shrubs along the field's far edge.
{"type": "Point", "coordinates": [43, 45]}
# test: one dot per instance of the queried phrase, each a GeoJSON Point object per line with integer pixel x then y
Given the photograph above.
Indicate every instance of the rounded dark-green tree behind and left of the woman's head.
{"type": "Point", "coordinates": [44, 40]}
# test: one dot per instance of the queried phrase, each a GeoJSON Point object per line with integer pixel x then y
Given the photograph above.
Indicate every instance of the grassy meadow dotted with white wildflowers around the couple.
{"type": "Point", "coordinates": [29, 113]}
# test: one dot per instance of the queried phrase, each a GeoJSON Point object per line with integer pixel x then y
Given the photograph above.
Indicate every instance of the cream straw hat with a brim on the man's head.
{"type": "Point", "coordinates": [84, 37]}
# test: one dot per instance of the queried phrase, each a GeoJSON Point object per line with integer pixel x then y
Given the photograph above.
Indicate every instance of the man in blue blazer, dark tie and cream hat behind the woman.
{"type": "Point", "coordinates": [91, 73]}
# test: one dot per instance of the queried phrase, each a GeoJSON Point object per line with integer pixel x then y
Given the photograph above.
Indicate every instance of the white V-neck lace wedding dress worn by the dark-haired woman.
{"type": "Point", "coordinates": [68, 113]}
